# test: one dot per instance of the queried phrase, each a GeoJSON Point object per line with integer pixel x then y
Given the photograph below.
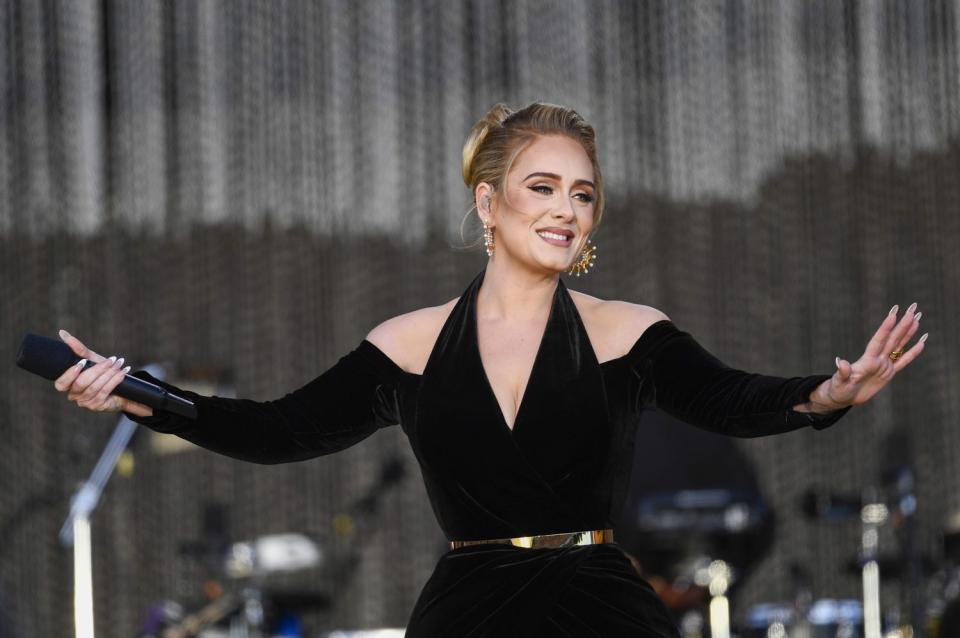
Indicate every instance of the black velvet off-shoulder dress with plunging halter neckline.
{"type": "Point", "coordinates": [565, 466]}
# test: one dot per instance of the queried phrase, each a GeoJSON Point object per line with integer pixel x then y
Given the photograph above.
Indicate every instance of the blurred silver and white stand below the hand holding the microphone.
{"type": "Point", "coordinates": [76, 529]}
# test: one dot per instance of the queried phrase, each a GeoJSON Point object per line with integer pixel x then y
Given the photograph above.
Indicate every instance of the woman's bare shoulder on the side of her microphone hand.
{"type": "Point", "coordinates": [408, 338]}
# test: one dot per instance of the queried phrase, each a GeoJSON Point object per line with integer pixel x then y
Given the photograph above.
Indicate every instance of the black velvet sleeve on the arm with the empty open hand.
{"type": "Point", "coordinates": [678, 375]}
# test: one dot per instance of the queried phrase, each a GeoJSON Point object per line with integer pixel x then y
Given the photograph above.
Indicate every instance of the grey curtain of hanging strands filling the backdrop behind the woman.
{"type": "Point", "coordinates": [249, 187]}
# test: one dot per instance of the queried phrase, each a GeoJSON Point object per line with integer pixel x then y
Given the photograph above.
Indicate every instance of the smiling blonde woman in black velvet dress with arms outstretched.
{"type": "Point", "coordinates": [520, 399]}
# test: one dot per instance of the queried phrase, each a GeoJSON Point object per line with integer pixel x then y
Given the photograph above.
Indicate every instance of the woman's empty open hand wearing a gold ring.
{"type": "Point", "coordinates": [855, 383]}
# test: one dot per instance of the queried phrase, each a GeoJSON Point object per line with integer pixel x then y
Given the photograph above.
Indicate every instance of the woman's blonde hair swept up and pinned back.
{"type": "Point", "coordinates": [498, 137]}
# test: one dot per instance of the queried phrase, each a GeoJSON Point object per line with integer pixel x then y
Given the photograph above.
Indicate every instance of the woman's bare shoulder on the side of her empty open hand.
{"type": "Point", "coordinates": [614, 326]}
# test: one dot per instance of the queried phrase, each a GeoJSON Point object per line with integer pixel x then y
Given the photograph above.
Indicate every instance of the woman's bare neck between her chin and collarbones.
{"type": "Point", "coordinates": [513, 293]}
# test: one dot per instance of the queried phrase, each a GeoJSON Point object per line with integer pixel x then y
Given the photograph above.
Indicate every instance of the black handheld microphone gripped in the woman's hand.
{"type": "Point", "coordinates": [50, 358]}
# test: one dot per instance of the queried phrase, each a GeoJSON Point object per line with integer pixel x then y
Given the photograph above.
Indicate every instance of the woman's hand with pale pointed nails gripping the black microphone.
{"type": "Point", "coordinates": [90, 388]}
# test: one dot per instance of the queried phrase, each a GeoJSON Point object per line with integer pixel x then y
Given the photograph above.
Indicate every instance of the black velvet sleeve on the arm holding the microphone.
{"type": "Point", "coordinates": [344, 405]}
